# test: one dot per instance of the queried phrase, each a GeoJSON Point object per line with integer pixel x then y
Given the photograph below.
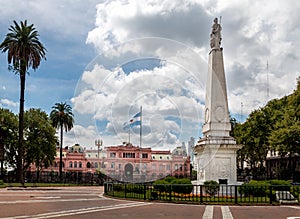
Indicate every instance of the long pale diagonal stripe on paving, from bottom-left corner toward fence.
{"type": "Point", "coordinates": [80, 211]}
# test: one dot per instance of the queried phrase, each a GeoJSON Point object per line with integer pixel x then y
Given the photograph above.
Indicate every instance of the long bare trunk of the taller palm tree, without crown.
{"type": "Point", "coordinates": [21, 122]}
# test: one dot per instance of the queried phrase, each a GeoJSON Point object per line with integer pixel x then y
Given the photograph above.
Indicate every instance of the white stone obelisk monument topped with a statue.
{"type": "Point", "coordinates": [216, 151]}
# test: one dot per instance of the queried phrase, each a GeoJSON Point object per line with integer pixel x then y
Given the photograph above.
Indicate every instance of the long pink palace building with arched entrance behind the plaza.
{"type": "Point", "coordinates": [124, 162]}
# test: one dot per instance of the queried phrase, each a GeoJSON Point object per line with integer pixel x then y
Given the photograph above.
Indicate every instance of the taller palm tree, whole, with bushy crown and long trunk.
{"type": "Point", "coordinates": [24, 50]}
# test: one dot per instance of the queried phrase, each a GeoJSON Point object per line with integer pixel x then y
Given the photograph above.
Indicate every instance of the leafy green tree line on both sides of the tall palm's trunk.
{"type": "Point", "coordinates": [39, 144]}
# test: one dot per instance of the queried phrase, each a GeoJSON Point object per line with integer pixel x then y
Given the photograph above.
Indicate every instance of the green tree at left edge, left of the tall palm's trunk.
{"type": "Point", "coordinates": [8, 136]}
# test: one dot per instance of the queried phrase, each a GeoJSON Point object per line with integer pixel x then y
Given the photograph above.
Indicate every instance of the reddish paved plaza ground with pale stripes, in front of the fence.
{"type": "Point", "coordinates": [88, 202]}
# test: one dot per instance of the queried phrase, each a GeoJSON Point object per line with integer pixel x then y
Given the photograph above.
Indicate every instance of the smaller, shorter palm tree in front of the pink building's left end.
{"type": "Point", "coordinates": [62, 117]}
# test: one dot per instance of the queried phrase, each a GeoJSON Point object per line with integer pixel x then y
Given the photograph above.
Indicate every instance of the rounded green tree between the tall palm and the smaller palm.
{"type": "Point", "coordinates": [40, 144]}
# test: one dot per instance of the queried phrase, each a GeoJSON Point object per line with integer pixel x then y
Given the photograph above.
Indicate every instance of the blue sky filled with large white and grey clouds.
{"type": "Point", "coordinates": [108, 58]}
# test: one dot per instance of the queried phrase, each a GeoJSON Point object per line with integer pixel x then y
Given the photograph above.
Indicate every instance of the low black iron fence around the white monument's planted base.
{"type": "Point", "coordinates": [222, 194]}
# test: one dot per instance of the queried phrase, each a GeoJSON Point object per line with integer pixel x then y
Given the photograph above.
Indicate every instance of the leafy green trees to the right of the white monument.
{"type": "Point", "coordinates": [275, 127]}
